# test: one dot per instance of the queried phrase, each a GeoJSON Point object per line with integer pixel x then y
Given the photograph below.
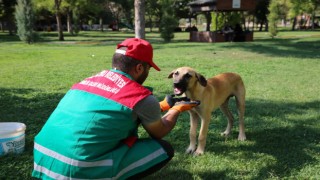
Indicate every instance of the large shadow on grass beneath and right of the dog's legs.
{"type": "Point", "coordinates": [286, 132]}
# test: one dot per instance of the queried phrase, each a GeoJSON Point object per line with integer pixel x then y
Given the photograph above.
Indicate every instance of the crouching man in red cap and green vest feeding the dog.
{"type": "Point", "coordinates": [92, 134]}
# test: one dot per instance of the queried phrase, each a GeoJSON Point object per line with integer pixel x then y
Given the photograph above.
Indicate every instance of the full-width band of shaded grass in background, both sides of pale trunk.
{"type": "Point", "coordinates": [289, 47]}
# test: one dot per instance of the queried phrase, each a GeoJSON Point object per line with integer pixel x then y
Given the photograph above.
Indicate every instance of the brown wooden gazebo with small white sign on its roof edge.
{"type": "Point", "coordinates": [207, 6]}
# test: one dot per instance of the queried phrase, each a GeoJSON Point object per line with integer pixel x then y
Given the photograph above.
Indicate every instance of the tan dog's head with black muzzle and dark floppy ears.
{"type": "Point", "coordinates": [186, 78]}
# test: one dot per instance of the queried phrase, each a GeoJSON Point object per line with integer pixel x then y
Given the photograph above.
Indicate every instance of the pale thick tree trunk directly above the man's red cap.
{"type": "Point", "coordinates": [139, 12]}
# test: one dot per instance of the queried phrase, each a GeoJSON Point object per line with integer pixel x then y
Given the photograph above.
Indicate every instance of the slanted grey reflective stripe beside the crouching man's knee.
{"type": "Point", "coordinates": [141, 162]}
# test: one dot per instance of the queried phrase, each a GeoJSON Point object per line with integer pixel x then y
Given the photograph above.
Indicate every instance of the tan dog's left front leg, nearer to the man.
{"type": "Point", "coordinates": [194, 118]}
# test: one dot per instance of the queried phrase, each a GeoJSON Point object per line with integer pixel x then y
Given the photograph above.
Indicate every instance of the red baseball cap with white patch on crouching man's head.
{"type": "Point", "coordinates": [138, 49]}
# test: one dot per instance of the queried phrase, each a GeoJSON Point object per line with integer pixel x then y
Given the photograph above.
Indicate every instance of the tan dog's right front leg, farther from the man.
{"type": "Point", "coordinates": [205, 120]}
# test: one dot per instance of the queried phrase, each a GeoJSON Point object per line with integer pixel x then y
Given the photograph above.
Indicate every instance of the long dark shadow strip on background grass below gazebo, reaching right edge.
{"type": "Point", "coordinates": [291, 47]}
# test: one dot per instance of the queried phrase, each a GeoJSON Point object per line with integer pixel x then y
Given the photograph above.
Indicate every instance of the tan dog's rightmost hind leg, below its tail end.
{"type": "Point", "coordinates": [240, 99]}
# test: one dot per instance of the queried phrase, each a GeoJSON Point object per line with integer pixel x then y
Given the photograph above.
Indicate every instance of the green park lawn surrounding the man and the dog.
{"type": "Point", "coordinates": [282, 107]}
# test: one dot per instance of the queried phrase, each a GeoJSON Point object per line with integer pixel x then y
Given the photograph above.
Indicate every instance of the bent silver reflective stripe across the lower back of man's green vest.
{"type": "Point", "coordinates": [73, 162]}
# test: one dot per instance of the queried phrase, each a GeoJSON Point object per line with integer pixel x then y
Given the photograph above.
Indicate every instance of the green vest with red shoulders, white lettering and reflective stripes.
{"type": "Point", "coordinates": [84, 136]}
